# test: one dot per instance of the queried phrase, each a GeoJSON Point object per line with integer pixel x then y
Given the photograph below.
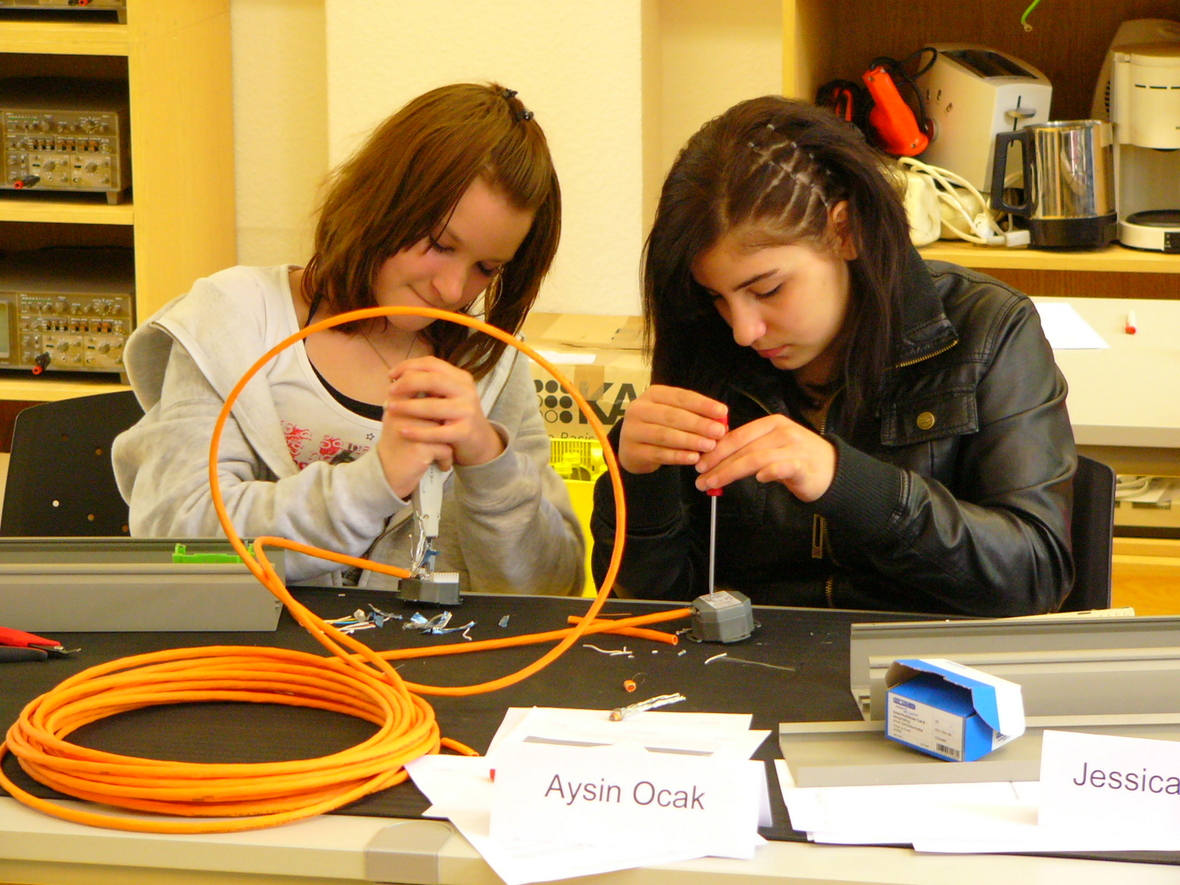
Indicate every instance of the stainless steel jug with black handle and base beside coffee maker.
{"type": "Point", "coordinates": [1068, 183]}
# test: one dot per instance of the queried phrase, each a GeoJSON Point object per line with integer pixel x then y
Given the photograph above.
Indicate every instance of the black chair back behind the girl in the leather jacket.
{"type": "Point", "coordinates": [1092, 532]}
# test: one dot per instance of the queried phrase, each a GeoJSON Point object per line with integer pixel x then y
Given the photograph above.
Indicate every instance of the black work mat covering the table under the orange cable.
{"type": "Point", "coordinates": [814, 644]}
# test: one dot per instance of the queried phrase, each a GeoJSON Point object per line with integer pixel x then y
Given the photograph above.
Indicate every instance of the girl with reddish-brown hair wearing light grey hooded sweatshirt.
{"type": "Point", "coordinates": [453, 204]}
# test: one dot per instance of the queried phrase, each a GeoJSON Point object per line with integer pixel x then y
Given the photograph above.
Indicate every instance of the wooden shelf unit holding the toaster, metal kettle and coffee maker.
{"type": "Point", "coordinates": [828, 40]}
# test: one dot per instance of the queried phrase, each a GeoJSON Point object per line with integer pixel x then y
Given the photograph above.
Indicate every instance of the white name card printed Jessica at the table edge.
{"type": "Point", "coordinates": [1118, 788]}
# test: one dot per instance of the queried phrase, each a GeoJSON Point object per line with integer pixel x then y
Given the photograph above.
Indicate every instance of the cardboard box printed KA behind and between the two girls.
{"type": "Point", "coordinates": [602, 356]}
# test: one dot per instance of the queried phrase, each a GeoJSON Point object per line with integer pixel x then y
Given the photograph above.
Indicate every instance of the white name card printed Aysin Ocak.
{"type": "Point", "coordinates": [600, 795]}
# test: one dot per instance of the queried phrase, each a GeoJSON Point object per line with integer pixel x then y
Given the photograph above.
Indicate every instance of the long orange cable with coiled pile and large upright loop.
{"type": "Point", "coordinates": [353, 680]}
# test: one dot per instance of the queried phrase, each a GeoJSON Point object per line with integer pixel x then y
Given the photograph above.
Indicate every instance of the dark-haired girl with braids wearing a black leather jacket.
{"type": "Point", "coordinates": [897, 431]}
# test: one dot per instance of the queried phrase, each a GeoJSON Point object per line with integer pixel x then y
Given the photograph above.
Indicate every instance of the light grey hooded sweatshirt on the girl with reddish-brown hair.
{"type": "Point", "coordinates": [507, 526]}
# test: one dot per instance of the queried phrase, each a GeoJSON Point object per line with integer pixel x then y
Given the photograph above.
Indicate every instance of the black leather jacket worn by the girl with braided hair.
{"type": "Point", "coordinates": [956, 499]}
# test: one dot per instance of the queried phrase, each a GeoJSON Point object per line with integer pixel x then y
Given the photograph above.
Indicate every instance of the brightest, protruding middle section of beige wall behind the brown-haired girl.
{"type": "Point", "coordinates": [576, 65]}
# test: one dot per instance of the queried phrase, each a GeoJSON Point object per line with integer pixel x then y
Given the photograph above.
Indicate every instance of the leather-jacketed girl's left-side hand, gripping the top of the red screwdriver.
{"type": "Point", "coordinates": [670, 425]}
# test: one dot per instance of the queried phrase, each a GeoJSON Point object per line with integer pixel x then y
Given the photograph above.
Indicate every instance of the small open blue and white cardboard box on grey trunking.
{"type": "Point", "coordinates": [949, 711]}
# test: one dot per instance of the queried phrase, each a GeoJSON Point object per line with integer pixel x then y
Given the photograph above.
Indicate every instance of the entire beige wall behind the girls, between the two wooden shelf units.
{"type": "Point", "coordinates": [618, 86]}
